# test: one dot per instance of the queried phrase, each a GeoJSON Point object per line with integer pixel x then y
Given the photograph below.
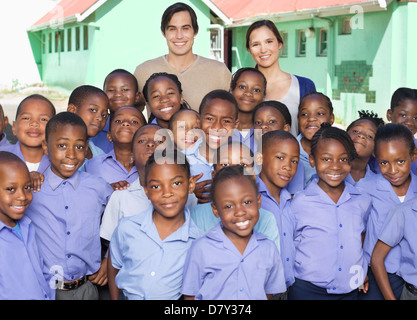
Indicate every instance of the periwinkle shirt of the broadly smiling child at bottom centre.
{"type": "Point", "coordinates": [216, 270]}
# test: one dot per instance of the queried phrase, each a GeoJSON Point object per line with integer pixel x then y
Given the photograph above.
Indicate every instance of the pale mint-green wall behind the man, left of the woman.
{"type": "Point", "coordinates": [122, 34]}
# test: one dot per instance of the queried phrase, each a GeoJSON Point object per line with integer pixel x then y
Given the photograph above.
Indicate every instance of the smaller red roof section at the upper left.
{"type": "Point", "coordinates": [67, 11]}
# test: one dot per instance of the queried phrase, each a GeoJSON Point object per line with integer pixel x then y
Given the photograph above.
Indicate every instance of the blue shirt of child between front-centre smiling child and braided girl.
{"type": "Point", "coordinates": [285, 222]}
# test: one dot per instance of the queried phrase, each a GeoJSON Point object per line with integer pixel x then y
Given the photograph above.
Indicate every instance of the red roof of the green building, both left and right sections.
{"type": "Point", "coordinates": [231, 12]}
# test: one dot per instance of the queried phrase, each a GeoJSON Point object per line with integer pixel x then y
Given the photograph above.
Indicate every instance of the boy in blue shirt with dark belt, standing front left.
{"type": "Point", "coordinates": [67, 211]}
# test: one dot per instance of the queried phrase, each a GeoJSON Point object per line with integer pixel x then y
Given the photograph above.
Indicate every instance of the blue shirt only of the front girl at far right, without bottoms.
{"type": "Point", "coordinates": [383, 199]}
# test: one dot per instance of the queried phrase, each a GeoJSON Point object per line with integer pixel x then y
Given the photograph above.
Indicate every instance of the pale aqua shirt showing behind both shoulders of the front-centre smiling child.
{"type": "Point", "coordinates": [203, 216]}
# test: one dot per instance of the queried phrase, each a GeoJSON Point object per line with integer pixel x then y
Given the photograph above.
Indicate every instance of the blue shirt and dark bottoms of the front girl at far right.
{"type": "Point", "coordinates": [383, 199]}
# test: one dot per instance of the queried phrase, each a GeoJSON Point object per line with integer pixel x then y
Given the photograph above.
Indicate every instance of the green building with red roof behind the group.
{"type": "Point", "coordinates": [357, 52]}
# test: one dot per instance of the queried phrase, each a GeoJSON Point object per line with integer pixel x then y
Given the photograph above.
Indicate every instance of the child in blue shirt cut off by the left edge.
{"type": "Point", "coordinates": [21, 274]}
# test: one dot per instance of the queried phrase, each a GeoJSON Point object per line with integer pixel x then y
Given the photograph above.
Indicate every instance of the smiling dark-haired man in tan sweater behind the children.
{"type": "Point", "coordinates": [198, 75]}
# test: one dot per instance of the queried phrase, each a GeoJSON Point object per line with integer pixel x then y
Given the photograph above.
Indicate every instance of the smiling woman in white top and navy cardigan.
{"type": "Point", "coordinates": [263, 41]}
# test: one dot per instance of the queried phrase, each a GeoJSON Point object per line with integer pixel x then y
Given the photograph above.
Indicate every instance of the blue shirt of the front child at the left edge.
{"type": "Point", "coordinates": [21, 273]}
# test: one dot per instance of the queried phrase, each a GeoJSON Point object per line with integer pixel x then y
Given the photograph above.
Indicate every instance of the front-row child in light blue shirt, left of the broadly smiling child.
{"type": "Point", "coordinates": [148, 250]}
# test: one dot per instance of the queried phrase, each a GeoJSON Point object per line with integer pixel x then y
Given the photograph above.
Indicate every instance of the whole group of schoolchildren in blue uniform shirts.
{"type": "Point", "coordinates": [219, 203]}
